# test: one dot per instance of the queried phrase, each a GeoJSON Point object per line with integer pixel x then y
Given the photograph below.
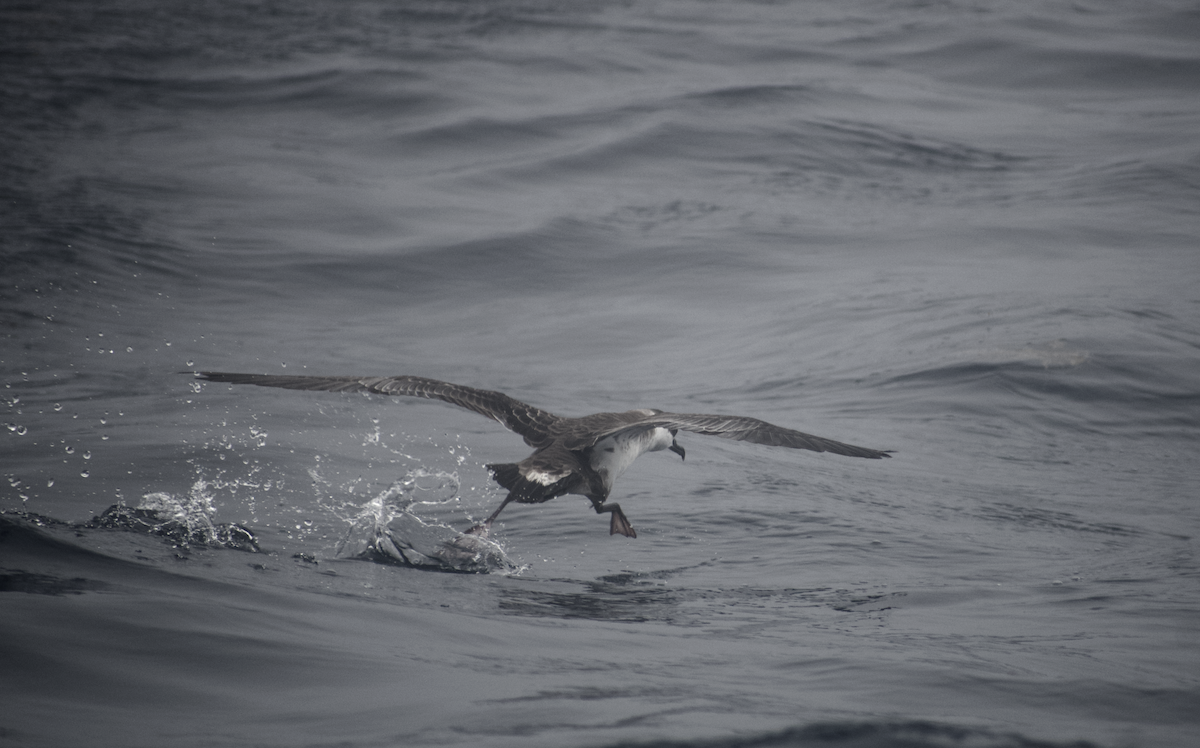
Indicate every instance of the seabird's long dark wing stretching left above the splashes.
{"type": "Point", "coordinates": [531, 423]}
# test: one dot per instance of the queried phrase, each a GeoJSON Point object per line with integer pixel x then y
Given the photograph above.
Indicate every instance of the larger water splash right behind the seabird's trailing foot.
{"type": "Point", "coordinates": [386, 529]}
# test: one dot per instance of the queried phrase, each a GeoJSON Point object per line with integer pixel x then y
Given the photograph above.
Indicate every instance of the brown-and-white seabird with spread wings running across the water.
{"type": "Point", "coordinates": [572, 456]}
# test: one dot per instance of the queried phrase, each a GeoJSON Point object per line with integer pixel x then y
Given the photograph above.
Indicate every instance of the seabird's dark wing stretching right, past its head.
{"type": "Point", "coordinates": [742, 429]}
